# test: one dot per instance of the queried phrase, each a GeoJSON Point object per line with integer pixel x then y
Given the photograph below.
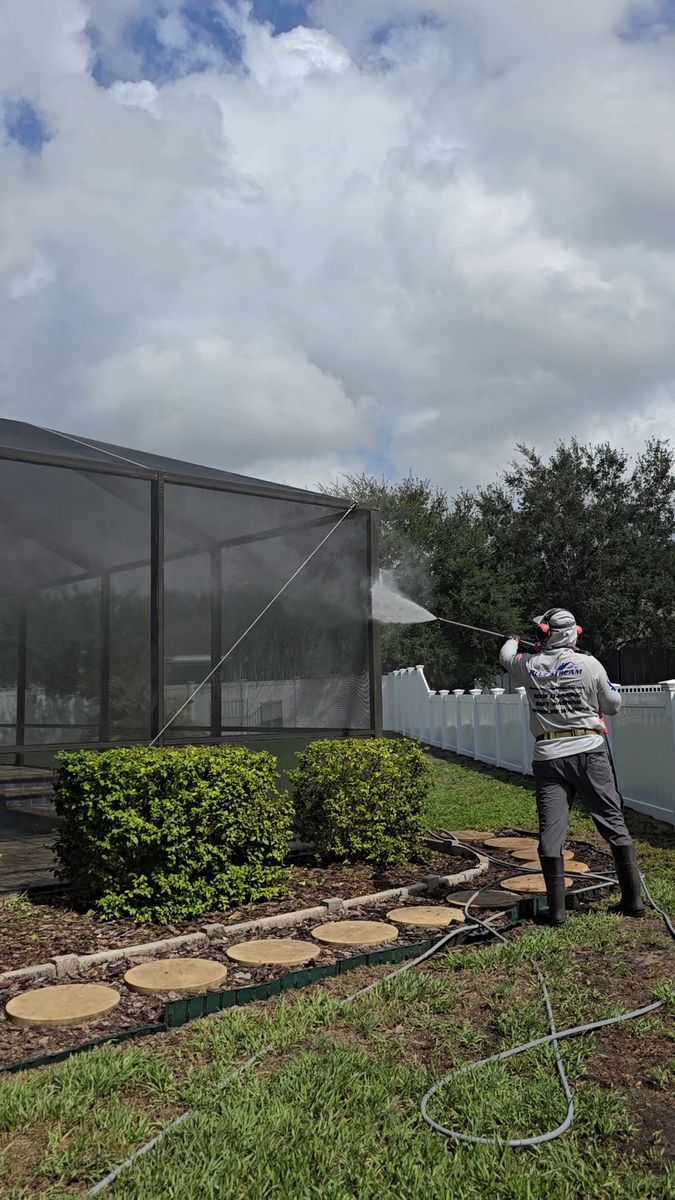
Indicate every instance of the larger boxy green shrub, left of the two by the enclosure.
{"type": "Point", "coordinates": [169, 835]}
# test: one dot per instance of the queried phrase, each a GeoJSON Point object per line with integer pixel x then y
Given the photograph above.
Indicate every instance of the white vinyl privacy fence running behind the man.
{"type": "Point", "coordinates": [494, 728]}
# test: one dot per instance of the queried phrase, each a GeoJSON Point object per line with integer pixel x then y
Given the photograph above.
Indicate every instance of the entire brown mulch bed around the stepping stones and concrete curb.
{"type": "Point", "coordinates": [56, 928]}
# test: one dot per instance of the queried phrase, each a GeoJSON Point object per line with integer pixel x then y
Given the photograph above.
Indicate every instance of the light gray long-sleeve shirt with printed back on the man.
{"type": "Point", "coordinates": [566, 691]}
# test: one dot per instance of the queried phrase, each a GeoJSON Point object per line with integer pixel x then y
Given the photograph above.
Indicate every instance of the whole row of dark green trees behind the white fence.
{"type": "Point", "coordinates": [589, 529]}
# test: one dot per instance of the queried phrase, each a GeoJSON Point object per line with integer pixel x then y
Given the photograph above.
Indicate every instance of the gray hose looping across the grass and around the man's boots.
{"type": "Point", "coordinates": [553, 1039]}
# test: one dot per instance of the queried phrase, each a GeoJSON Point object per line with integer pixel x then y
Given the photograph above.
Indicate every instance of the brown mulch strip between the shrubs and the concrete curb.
{"type": "Point", "coordinates": [56, 927]}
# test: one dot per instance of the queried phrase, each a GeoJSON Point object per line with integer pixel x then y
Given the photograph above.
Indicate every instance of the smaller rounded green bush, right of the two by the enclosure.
{"type": "Point", "coordinates": [363, 799]}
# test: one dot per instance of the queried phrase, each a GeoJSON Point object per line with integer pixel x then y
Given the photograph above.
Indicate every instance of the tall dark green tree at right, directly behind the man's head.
{"type": "Point", "coordinates": [593, 533]}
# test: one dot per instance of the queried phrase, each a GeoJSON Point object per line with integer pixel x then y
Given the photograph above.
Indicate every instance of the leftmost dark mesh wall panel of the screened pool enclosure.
{"type": "Point", "coordinates": [75, 597]}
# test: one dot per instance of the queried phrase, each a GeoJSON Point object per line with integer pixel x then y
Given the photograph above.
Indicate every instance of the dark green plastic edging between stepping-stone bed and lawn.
{"type": "Point", "coordinates": [180, 1012]}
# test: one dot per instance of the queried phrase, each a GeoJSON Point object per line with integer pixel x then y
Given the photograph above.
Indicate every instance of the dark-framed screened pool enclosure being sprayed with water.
{"type": "Point", "coordinates": [127, 577]}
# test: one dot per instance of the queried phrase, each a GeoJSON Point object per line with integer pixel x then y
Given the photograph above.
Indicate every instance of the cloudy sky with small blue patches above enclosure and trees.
{"type": "Point", "coordinates": [295, 239]}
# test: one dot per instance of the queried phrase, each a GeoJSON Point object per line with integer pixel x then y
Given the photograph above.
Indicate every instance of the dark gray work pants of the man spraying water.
{"type": "Point", "coordinates": [589, 777]}
